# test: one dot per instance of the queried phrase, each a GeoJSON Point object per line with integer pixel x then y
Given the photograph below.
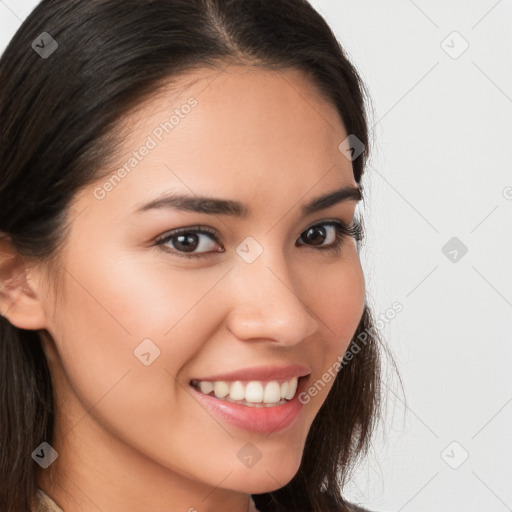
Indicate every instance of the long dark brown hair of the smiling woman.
{"type": "Point", "coordinates": [58, 114]}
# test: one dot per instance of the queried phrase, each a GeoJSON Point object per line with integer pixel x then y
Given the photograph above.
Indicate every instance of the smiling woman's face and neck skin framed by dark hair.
{"type": "Point", "coordinates": [137, 321]}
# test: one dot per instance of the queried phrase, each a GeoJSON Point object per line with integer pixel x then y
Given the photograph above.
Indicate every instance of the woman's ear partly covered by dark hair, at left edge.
{"type": "Point", "coordinates": [19, 301]}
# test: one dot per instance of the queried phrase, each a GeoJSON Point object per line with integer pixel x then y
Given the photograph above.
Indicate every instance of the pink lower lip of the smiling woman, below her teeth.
{"type": "Point", "coordinates": [263, 420]}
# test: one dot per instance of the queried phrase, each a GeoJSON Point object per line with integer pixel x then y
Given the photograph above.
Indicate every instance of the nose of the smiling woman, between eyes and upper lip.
{"type": "Point", "coordinates": [268, 303]}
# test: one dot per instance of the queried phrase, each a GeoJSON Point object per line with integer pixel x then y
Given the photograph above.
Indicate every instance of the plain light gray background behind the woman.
{"type": "Point", "coordinates": [441, 168]}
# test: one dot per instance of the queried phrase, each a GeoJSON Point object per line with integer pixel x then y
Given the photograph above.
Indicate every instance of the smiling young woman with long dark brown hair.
{"type": "Point", "coordinates": [182, 294]}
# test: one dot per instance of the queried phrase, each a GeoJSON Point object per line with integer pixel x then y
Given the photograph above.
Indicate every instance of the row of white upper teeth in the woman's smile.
{"type": "Point", "coordinates": [254, 391]}
